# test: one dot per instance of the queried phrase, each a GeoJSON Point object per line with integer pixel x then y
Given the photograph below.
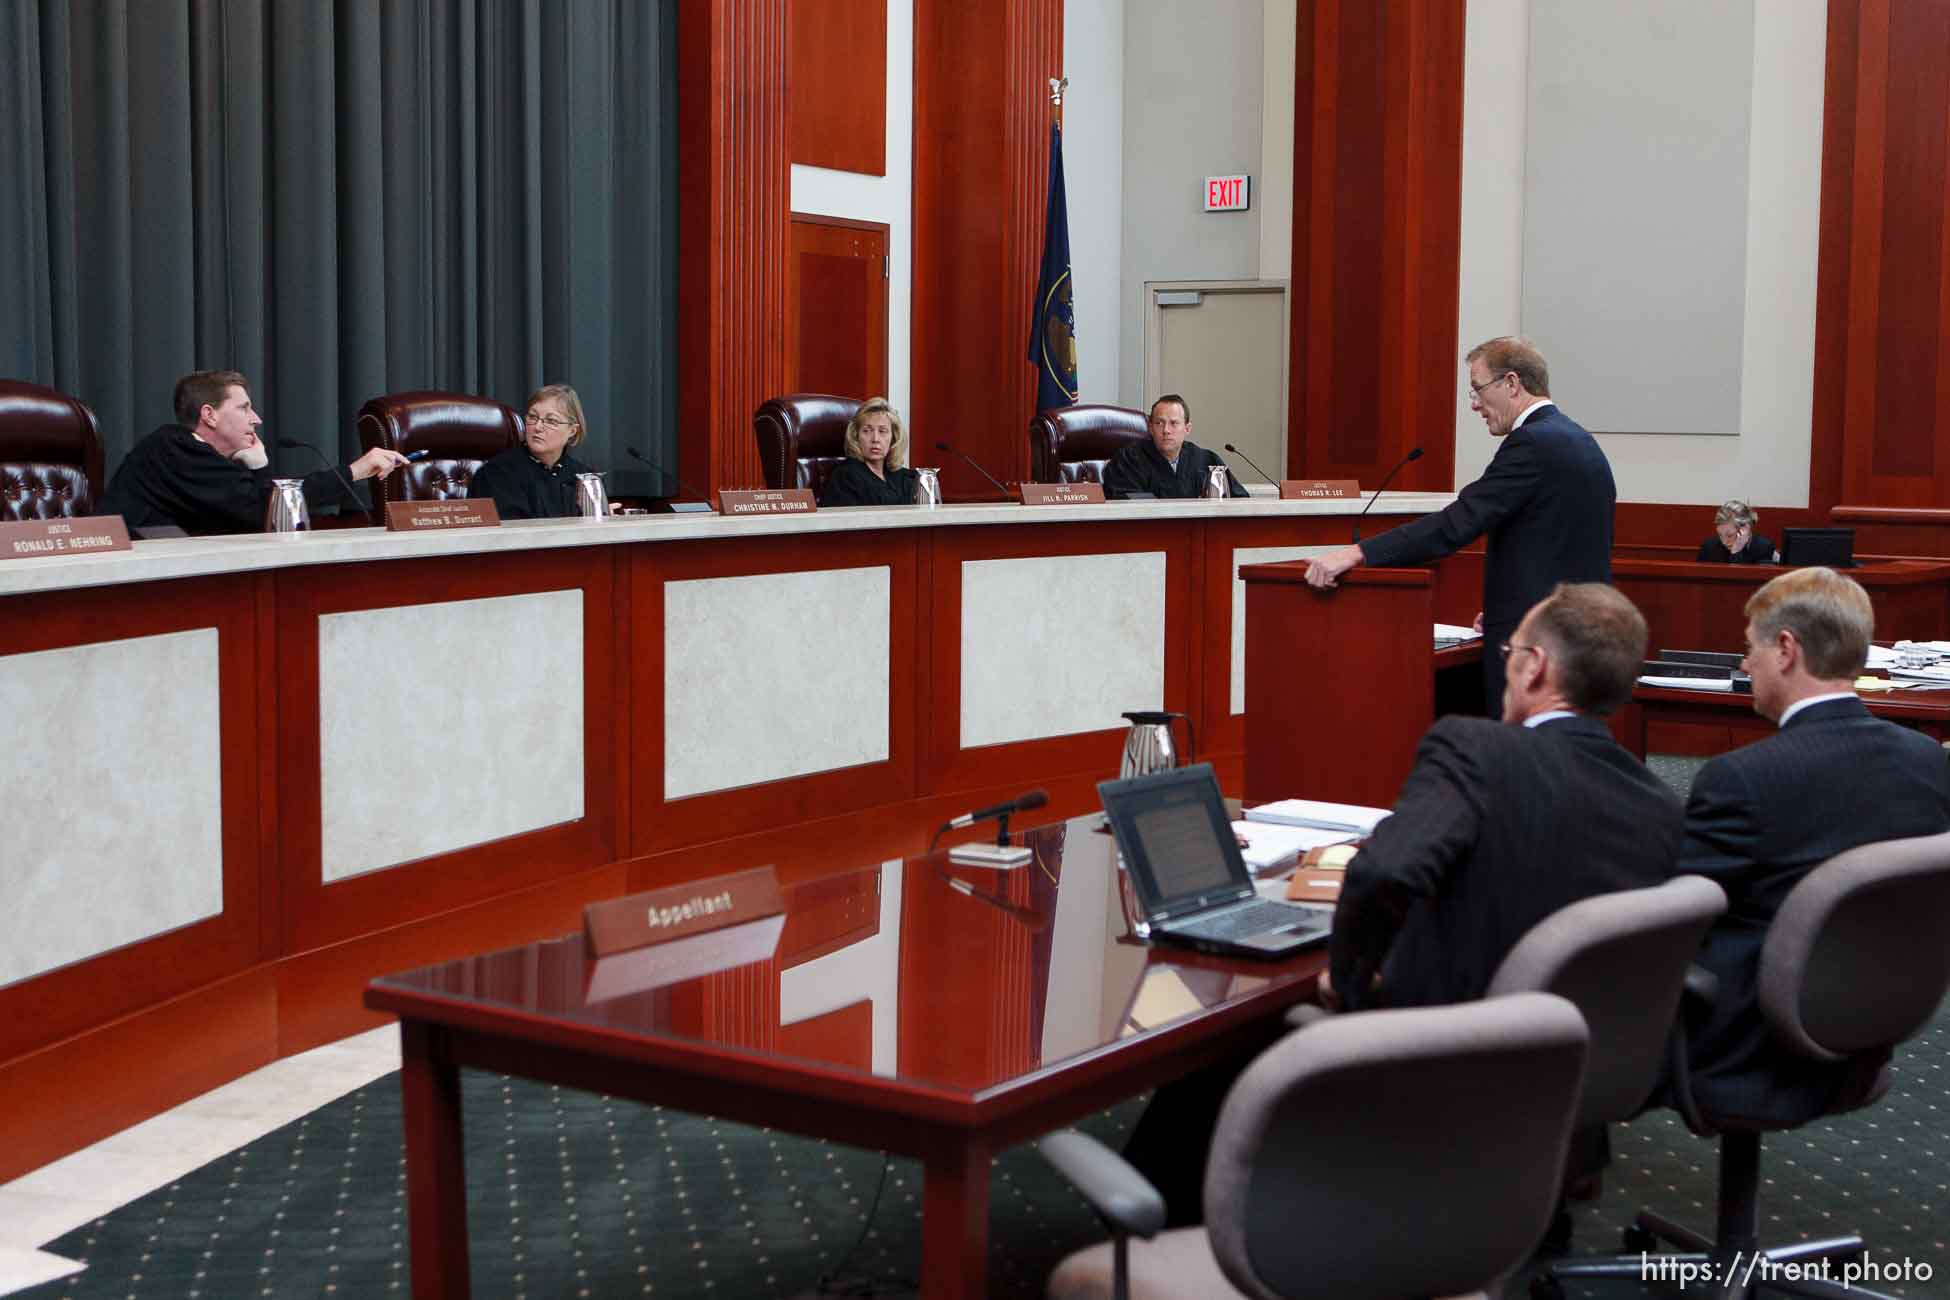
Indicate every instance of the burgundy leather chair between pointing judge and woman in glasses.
{"type": "Point", "coordinates": [457, 432]}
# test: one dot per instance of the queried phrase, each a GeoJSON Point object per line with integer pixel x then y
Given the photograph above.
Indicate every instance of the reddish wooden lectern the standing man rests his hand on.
{"type": "Point", "coordinates": [1343, 683]}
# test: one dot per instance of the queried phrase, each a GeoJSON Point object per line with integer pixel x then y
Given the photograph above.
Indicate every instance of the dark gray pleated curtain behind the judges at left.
{"type": "Point", "coordinates": [342, 200]}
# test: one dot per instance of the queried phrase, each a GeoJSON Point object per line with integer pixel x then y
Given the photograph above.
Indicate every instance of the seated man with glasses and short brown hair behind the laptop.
{"type": "Point", "coordinates": [1499, 827]}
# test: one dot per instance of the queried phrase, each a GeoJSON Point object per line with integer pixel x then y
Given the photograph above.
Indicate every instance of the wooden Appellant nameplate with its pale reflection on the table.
{"type": "Point", "coordinates": [682, 933]}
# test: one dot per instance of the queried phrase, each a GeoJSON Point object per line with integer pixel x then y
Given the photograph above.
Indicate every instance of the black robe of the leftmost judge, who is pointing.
{"type": "Point", "coordinates": [176, 478]}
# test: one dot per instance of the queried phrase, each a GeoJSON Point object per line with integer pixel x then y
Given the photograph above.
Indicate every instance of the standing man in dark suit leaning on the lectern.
{"type": "Point", "coordinates": [1545, 504]}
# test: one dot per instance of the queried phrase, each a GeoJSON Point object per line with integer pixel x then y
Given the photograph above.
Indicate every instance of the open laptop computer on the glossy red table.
{"type": "Point", "coordinates": [1189, 874]}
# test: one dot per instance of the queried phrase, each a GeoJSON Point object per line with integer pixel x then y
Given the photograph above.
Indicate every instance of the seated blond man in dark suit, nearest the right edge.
{"type": "Point", "coordinates": [1762, 818]}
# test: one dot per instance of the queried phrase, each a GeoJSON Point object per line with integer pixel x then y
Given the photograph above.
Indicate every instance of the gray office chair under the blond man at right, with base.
{"type": "Point", "coordinates": [1855, 962]}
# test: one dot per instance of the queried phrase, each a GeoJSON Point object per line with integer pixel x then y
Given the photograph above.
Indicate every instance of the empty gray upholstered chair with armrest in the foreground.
{"type": "Point", "coordinates": [1442, 1126]}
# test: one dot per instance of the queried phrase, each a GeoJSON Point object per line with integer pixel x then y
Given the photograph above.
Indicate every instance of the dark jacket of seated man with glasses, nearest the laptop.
{"type": "Point", "coordinates": [1497, 829]}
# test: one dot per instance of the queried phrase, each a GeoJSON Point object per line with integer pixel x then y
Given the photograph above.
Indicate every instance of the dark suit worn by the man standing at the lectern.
{"type": "Point", "coordinates": [1545, 504]}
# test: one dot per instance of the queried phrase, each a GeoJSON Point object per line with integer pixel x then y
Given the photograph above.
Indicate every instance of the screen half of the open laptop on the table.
{"type": "Point", "coordinates": [1177, 837]}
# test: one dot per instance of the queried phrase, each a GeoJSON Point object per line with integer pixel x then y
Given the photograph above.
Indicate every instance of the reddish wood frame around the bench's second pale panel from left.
{"type": "Point", "coordinates": [319, 913]}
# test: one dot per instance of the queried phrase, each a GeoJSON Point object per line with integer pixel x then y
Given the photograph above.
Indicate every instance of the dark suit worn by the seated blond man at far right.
{"type": "Point", "coordinates": [1758, 822]}
